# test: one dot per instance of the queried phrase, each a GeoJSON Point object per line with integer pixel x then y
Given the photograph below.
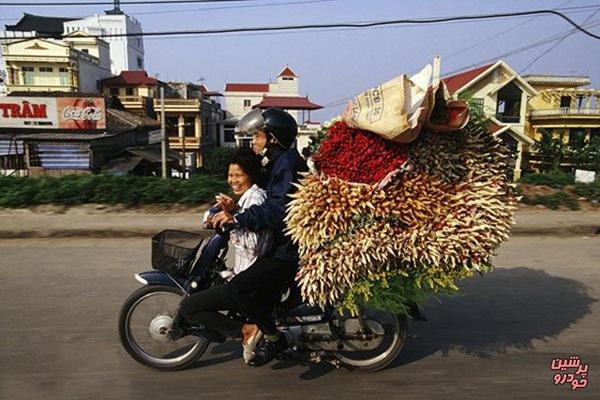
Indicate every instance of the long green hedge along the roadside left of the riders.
{"type": "Point", "coordinates": [106, 189]}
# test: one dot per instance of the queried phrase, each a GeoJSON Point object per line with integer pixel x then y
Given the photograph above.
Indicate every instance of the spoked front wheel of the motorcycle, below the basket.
{"type": "Point", "coordinates": [144, 321]}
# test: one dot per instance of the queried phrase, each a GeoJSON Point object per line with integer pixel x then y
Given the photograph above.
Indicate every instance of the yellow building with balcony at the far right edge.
{"type": "Point", "coordinates": [564, 106]}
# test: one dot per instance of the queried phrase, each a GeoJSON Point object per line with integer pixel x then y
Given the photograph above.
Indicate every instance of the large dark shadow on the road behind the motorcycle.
{"type": "Point", "coordinates": [504, 310]}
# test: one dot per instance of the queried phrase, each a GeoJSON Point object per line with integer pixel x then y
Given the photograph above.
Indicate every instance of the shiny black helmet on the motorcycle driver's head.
{"type": "Point", "coordinates": [279, 124]}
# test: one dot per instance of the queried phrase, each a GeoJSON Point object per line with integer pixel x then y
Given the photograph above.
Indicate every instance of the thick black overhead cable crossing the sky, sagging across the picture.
{"type": "Point", "coordinates": [348, 25]}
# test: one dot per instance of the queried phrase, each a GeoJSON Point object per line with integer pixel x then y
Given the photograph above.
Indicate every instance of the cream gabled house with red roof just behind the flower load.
{"type": "Point", "coordinates": [502, 95]}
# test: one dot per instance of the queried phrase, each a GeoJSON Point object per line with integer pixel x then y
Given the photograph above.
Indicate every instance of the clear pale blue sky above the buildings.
{"type": "Point", "coordinates": [335, 65]}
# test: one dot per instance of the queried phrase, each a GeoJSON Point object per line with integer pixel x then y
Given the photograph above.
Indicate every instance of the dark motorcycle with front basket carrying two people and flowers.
{"type": "Point", "coordinates": [185, 263]}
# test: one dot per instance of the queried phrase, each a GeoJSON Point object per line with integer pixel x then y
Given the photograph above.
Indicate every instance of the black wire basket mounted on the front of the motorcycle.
{"type": "Point", "coordinates": [174, 252]}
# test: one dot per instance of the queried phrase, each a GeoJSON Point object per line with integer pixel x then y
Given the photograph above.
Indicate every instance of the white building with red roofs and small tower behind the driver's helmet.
{"type": "Point", "coordinates": [241, 98]}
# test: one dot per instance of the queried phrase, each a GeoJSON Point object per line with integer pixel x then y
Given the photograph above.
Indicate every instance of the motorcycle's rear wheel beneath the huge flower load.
{"type": "Point", "coordinates": [394, 328]}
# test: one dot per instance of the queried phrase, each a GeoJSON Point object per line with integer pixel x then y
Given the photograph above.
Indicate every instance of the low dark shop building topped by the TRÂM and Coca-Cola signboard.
{"type": "Point", "coordinates": [56, 134]}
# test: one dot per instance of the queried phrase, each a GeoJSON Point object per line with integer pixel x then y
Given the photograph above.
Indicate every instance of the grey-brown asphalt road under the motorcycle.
{"type": "Point", "coordinates": [60, 301]}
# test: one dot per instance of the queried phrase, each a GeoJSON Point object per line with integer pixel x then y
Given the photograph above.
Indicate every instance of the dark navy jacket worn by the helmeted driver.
{"type": "Point", "coordinates": [282, 172]}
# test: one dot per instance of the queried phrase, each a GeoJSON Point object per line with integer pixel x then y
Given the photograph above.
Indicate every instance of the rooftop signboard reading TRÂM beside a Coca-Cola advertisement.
{"type": "Point", "coordinates": [77, 113]}
